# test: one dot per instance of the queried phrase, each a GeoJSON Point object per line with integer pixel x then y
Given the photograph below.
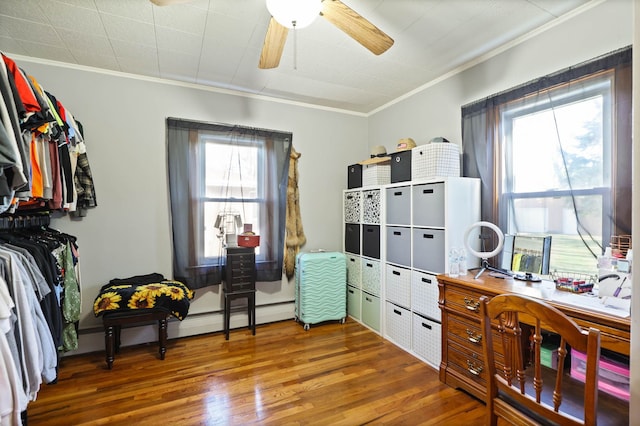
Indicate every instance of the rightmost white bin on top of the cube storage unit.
{"type": "Point", "coordinates": [435, 159]}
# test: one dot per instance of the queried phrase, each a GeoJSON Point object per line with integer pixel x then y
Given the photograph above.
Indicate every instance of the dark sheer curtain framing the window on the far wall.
{"type": "Point", "coordinates": [184, 174]}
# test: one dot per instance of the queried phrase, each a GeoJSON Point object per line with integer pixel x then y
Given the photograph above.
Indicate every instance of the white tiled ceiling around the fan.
{"type": "Point", "coordinates": [218, 43]}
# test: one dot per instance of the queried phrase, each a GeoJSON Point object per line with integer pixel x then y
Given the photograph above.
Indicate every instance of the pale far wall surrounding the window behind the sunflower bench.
{"type": "Point", "coordinates": [129, 232]}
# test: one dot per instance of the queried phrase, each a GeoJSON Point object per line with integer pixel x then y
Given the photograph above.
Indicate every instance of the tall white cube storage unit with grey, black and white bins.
{"type": "Point", "coordinates": [419, 222]}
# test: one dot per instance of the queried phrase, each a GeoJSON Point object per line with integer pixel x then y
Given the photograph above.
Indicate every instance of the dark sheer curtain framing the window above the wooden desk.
{"type": "Point", "coordinates": [480, 135]}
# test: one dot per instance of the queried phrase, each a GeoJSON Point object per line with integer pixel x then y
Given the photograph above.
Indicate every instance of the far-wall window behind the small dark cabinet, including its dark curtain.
{"type": "Point", "coordinates": [225, 171]}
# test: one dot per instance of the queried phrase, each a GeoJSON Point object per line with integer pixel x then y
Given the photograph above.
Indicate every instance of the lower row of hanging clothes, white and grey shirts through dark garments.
{"type": "Point", "coordinates": [39, 311]}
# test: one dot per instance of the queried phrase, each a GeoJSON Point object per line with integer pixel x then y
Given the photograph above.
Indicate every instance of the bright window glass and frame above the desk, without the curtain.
{"type": "Point", "coordinates": [556, 169]}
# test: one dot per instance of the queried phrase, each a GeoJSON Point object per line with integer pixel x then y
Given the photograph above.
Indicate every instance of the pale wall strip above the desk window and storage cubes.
{"type": "Point", "coordinates": [435, 111]}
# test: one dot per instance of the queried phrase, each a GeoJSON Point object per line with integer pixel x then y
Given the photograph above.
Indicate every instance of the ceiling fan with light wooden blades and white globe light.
{"type": "Point", "coordinates": [284, 17]}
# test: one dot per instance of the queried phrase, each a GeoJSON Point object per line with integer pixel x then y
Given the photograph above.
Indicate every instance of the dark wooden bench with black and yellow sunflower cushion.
{"type": "Point", "coordinates": [136, 301]}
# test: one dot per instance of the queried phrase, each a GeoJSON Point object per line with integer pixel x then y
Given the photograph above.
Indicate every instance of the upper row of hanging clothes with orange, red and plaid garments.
{"type": "Point", "coordinates": [41, 148]}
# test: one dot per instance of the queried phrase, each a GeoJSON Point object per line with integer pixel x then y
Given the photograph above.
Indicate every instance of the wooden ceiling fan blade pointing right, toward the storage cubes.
{"type": "Point", "coordinates": [357, 27]}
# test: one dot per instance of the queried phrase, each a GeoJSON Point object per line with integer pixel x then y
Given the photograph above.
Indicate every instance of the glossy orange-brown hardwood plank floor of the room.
{"type": "Point", "coordinates": [337, 374]}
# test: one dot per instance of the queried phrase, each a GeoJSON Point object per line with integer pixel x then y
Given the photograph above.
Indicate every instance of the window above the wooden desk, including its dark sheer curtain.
{"type": "Point", "coordinates": [554, 158]}
